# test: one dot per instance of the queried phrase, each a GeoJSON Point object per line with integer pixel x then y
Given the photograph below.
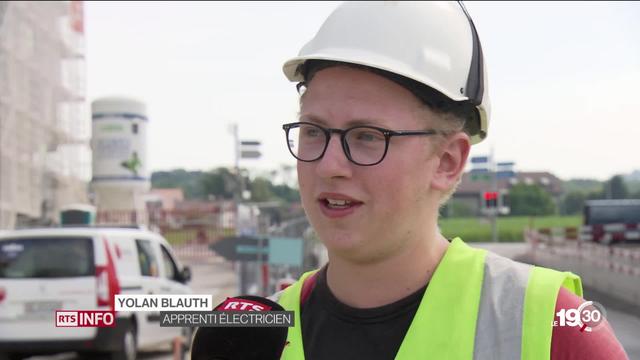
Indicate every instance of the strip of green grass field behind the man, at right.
{"type": "Point", "coordinates": [510, 229]}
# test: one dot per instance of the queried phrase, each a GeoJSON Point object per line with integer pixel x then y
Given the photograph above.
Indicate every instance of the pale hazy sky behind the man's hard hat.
{"type": "Point", "coordinates": [563, 79]}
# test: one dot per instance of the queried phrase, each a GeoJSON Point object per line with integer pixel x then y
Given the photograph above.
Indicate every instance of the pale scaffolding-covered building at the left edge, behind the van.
{"type": "Point", "coordinates": [45, 159]}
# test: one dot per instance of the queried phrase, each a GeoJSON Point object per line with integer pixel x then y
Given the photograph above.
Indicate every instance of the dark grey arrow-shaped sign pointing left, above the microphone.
{"type": "Point", "coordinates": [242, 248]}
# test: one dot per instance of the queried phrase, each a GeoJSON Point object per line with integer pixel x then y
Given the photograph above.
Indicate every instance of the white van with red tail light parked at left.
{"type": "Point", "coordinates": [82, 268]}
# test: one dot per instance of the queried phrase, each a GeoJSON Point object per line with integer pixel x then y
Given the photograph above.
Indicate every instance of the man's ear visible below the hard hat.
{"type": "Point", "coordinates": [453, 154]}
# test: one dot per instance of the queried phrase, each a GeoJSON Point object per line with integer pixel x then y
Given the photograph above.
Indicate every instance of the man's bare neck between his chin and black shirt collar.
{"type": "Point", "coordinates": [386, 281]}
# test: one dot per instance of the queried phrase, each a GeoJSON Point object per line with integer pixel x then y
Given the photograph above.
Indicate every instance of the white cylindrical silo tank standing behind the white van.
{"type": "Point", "coordinates": [119, 144]}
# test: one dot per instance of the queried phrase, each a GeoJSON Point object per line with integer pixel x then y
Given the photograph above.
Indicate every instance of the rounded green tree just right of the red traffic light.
{"type": "Point", "coordinates": [530, 200]}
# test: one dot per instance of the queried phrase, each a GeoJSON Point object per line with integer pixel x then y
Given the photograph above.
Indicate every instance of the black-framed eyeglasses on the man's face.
{"type": "Point", "coordinates": [363, 145]}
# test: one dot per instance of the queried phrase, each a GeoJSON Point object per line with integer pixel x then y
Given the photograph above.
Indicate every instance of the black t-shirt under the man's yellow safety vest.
{"type": "Point", "coordinates": [332, 330]}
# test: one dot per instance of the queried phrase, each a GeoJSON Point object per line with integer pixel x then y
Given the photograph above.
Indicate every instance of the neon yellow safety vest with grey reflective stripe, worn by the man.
{"type": "Point", "coordinates": [478, 305]}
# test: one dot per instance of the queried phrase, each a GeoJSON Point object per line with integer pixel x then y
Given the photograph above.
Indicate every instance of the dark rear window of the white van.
{"type": "Point", "coordinates": [46, 258]}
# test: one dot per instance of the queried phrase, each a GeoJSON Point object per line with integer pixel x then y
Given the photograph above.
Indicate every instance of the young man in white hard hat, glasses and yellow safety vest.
{"type": "Point", "coordinates": [393, 96]}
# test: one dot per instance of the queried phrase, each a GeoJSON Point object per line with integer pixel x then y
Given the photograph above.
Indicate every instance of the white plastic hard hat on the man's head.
{"type": "Point", "coordinates": [432, 43]}
